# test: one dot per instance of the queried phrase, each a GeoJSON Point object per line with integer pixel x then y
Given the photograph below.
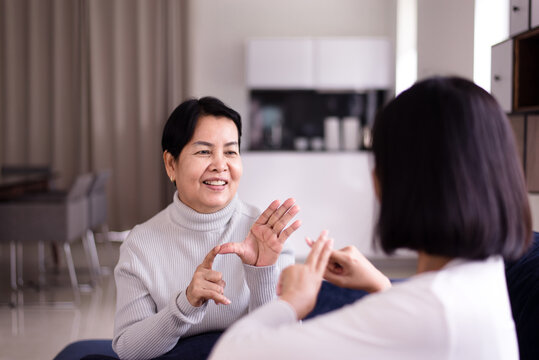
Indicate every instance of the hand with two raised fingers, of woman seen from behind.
{"type": "Point", "coordinates": [299, 284]}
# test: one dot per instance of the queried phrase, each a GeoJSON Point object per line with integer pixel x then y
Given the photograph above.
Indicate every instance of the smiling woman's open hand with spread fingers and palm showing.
{"type": "Point", "coordinates": [267, 236]}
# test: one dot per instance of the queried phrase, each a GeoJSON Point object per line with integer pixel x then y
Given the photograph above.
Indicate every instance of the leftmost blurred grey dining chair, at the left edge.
{"type": "Point", "coordinates": [52, 216]}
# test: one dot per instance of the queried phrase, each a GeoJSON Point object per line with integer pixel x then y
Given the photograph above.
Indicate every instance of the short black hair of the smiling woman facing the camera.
{"type": "Point", "coordinates": [181, 123]}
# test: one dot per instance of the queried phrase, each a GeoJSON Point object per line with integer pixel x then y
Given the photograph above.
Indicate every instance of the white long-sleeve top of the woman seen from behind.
{"type": "Point", "coordinates": [459, 312]}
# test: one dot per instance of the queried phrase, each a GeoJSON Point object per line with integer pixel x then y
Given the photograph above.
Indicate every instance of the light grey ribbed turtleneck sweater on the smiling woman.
{"type": "Point", "coordinates": [157, 262]}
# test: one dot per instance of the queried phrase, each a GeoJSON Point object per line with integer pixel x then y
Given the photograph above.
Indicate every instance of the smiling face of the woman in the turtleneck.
{"type": "Point", "coordinates": [209, 167]}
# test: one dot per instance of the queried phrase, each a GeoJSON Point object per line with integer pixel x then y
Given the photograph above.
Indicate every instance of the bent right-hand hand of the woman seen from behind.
{"type": "Point", "coordinates": [349, 268]}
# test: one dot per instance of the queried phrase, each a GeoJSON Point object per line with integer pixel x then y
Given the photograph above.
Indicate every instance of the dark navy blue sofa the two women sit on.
{"type": "Point", "coordinates": [522, 283]}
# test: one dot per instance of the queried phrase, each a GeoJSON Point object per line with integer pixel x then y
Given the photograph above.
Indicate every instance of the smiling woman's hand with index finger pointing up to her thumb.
{"type": "Point", "coordinates": [207, 283]}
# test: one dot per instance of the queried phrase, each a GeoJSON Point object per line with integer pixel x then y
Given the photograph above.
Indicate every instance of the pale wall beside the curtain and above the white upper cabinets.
{"type": "Point", "coordinates": [218, 30]}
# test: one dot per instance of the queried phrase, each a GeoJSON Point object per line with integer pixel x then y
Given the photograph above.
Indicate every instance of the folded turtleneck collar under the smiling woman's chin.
{"type": "Point", "coordinates": [188, 218]}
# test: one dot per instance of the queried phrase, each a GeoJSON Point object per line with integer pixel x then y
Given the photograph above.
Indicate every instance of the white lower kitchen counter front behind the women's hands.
{"type": "Point", "coordinates": [334, 191]}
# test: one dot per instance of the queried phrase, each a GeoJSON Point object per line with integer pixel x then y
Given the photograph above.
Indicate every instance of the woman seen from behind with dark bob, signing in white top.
{"type": "Point", "coordinates": [451, 188]}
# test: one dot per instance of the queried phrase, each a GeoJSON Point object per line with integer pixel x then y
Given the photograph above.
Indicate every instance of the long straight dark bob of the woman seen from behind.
{"type": "Point", "coordinates": [450, 178]}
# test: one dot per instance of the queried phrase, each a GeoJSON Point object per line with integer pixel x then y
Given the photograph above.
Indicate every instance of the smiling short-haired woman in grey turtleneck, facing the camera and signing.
{"type": "Point", "coordinates": [208, 258]}
